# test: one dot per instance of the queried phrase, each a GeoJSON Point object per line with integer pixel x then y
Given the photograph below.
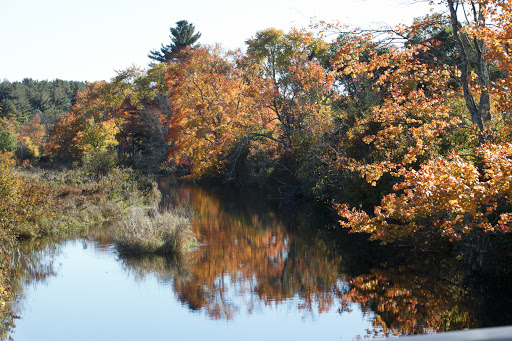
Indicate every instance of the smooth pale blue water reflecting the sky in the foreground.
{"type": "Point", "coordinates": [97, 296]}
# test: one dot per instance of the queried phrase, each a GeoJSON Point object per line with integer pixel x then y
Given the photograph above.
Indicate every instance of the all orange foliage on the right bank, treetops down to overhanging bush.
{"type": "Point", "coordinates": [429, 129]}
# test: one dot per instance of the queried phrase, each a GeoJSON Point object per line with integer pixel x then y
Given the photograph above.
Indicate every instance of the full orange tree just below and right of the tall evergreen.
{"type": "Point", "coordinates": [215, 108]}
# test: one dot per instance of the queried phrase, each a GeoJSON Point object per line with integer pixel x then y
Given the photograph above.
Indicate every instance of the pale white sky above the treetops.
{"type": "Point", "coordinates": [88, 40]}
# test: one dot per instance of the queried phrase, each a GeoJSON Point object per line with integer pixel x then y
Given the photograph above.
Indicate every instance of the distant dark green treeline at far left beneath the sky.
{"type": "Point", "coordinates": [50, 99]}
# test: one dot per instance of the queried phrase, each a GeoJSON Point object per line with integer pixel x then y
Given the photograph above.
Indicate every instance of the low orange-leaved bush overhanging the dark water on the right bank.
{"type": "Point", "coordinates": [447, 195]}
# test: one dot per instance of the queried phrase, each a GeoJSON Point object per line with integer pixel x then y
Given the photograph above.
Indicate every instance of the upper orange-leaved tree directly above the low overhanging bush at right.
{"type": "Point", "coordinates": [415, 117]}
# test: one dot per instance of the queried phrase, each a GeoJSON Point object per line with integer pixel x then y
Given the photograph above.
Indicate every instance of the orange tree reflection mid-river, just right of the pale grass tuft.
{"type": "Point", "coordinates": [249, 259]}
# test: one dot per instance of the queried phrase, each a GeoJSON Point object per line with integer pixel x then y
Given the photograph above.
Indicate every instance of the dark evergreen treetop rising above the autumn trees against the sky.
{"type": "Point", "coordinates": [182, 35]}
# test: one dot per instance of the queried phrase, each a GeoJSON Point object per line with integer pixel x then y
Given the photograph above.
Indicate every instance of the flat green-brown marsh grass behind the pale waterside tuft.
{"type": "Point", "coordinates": [83, 199]}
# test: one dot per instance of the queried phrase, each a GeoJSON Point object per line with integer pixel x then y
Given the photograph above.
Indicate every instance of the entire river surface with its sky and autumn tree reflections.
{"type": "Point", "coordinates": [260, 273]}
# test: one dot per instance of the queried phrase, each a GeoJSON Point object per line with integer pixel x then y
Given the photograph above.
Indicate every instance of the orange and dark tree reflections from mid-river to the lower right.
{"type": "Point", "coordinates": [251, 257]}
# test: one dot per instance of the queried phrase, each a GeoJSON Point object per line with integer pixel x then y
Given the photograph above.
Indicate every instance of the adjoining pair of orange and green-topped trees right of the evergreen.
{"type": "Point", "coordinates": [257, 107]}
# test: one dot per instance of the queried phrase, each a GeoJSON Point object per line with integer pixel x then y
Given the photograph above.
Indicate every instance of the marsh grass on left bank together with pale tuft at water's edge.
{"type": "Point", "coordinates": [123, 197]}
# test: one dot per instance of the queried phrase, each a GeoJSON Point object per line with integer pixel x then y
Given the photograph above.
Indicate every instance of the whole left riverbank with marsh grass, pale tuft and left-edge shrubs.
{"type": "Point", "coordinates": [68, 203]}
